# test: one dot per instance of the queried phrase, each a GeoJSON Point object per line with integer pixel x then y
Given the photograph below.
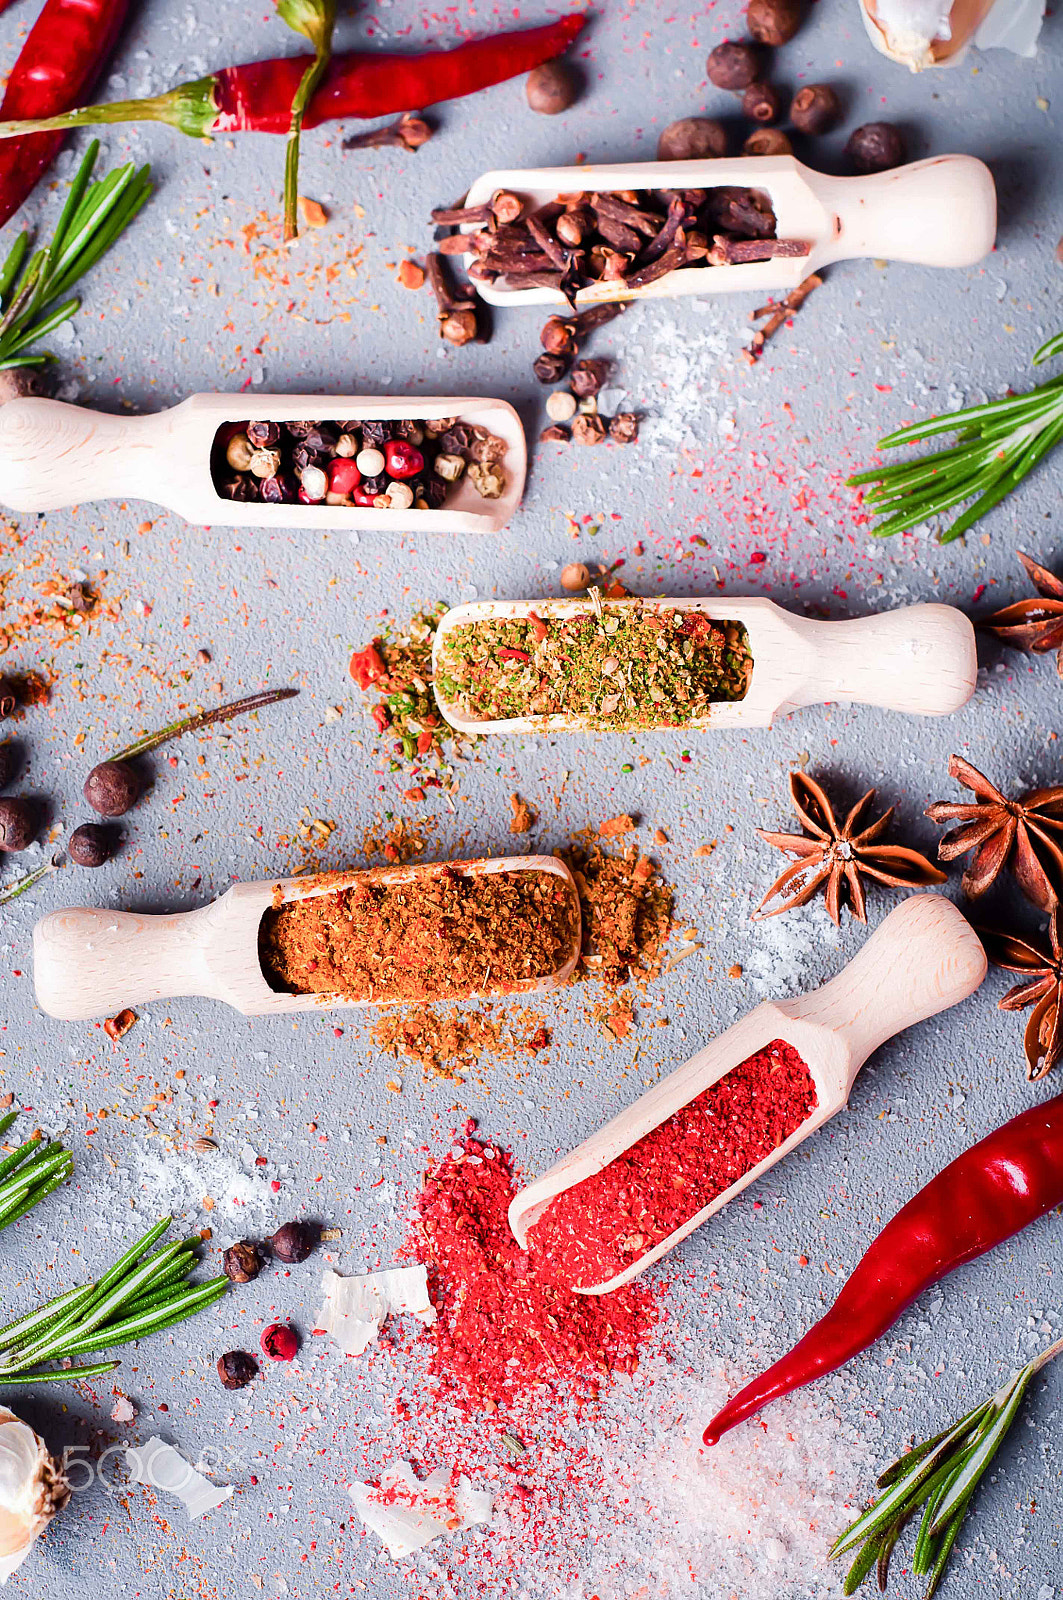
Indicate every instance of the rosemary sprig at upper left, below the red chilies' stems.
{"type": "Point", "coordinates": [33, 287]}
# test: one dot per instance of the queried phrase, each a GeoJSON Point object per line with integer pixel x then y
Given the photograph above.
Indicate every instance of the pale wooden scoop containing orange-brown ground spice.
{"type": "Point", "coordinates": [95, 962]}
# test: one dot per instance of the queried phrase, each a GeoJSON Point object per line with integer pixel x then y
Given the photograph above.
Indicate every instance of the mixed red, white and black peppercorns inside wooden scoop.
{"type": "Point", "coordinates": [390, 466]}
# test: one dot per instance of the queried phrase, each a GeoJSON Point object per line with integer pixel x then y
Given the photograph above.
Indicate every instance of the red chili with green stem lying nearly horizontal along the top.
{"type": "Point", "coordinates": [257, 97]}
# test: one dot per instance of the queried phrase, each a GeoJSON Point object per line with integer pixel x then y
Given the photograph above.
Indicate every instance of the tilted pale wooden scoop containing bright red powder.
{"type": "Point", "coordinates": [921, 961]}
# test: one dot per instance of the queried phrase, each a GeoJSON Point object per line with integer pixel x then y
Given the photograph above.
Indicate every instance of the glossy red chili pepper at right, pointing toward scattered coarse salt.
{"type": "Point", "coordinates": [979, 1201]}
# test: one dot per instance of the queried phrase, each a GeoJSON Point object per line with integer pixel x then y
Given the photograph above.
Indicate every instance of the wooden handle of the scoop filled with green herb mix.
{"type": "Point", "coordinates": [920, 660]}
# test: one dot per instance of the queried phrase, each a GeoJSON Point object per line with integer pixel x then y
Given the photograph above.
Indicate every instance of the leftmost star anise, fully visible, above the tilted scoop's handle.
{"type": "Point", "coordinates": [840, 855]}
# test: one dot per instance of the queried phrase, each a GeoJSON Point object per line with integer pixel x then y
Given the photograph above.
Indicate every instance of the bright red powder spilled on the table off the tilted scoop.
{"type": "Point", "coordinates": [507, 1324]}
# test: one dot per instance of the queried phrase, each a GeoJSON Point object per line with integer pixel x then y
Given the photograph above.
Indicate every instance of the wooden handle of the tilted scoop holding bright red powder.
{"type": "Point", "coordinates": [921, 961]}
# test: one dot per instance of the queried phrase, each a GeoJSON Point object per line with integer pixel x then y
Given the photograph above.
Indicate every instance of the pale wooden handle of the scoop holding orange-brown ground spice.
{"type": "Point", "coordinates": [95, 962]}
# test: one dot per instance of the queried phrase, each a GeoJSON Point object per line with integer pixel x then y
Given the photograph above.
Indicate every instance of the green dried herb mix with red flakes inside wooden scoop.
{"type": "Point", "coordinates": [619, 666]}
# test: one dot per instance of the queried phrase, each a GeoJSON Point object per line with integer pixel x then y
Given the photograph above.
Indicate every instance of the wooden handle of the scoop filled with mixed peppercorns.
{"type": "Point", "coordinates": [55, 455]}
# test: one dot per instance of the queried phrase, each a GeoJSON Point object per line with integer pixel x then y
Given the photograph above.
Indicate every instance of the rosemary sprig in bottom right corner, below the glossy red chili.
{"type": "Point", "coordinates": [942, 1478]}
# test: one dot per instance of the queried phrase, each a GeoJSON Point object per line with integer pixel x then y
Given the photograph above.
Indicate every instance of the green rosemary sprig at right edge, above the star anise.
{"type": "Point", "coordinates": [998, 446]}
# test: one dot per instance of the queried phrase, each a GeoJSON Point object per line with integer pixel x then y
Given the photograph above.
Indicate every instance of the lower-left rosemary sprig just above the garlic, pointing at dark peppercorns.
{"type": "Point", "coordinates": [130, 1302]}
